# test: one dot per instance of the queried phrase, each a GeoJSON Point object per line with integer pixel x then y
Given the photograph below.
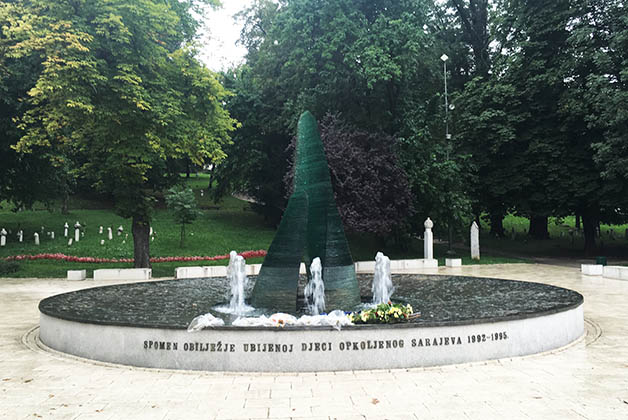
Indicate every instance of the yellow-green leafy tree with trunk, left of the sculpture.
{"type": "Point", "coordinates": [120, 85]}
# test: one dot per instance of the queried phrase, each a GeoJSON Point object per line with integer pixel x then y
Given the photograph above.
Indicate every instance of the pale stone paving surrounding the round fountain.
{"type": "Point", "coordinates": [587, 380]}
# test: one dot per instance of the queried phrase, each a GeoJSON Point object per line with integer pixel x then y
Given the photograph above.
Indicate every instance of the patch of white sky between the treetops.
{"type": "Point", "coordinates": [220, 35]}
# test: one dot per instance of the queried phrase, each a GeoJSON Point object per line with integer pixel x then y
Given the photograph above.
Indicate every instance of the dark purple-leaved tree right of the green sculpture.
{"type": "Point", "coordinates": [364, 169]}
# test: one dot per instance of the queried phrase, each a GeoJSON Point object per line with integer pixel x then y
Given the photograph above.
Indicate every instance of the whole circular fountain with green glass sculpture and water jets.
{"type": "Point", "coordinates": [457, 319]}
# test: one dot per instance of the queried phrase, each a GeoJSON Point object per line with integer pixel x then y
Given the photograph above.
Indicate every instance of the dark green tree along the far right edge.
{"type": "Point", "coordinates": [593, 111]}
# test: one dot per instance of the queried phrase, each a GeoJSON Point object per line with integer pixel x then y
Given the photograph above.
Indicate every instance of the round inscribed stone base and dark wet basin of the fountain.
{"type": "Point", "coordinates": [463, 319]}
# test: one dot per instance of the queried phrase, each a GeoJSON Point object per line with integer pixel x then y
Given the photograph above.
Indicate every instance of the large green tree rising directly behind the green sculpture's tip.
{"type": "Point", "coordinates": [375, 63]}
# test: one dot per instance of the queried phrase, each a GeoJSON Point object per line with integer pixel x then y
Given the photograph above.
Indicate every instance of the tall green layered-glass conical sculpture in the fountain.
{"type": "Point", "coordinates": [311, 227]}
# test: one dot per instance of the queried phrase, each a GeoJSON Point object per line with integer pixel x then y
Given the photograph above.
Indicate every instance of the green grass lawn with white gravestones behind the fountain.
{"type": "Point", "coordinates": [223, 227]}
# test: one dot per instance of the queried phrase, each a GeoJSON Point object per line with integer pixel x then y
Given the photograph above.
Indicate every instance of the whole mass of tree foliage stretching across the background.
{"type": "Point", "coordinates": [111, 92]}
